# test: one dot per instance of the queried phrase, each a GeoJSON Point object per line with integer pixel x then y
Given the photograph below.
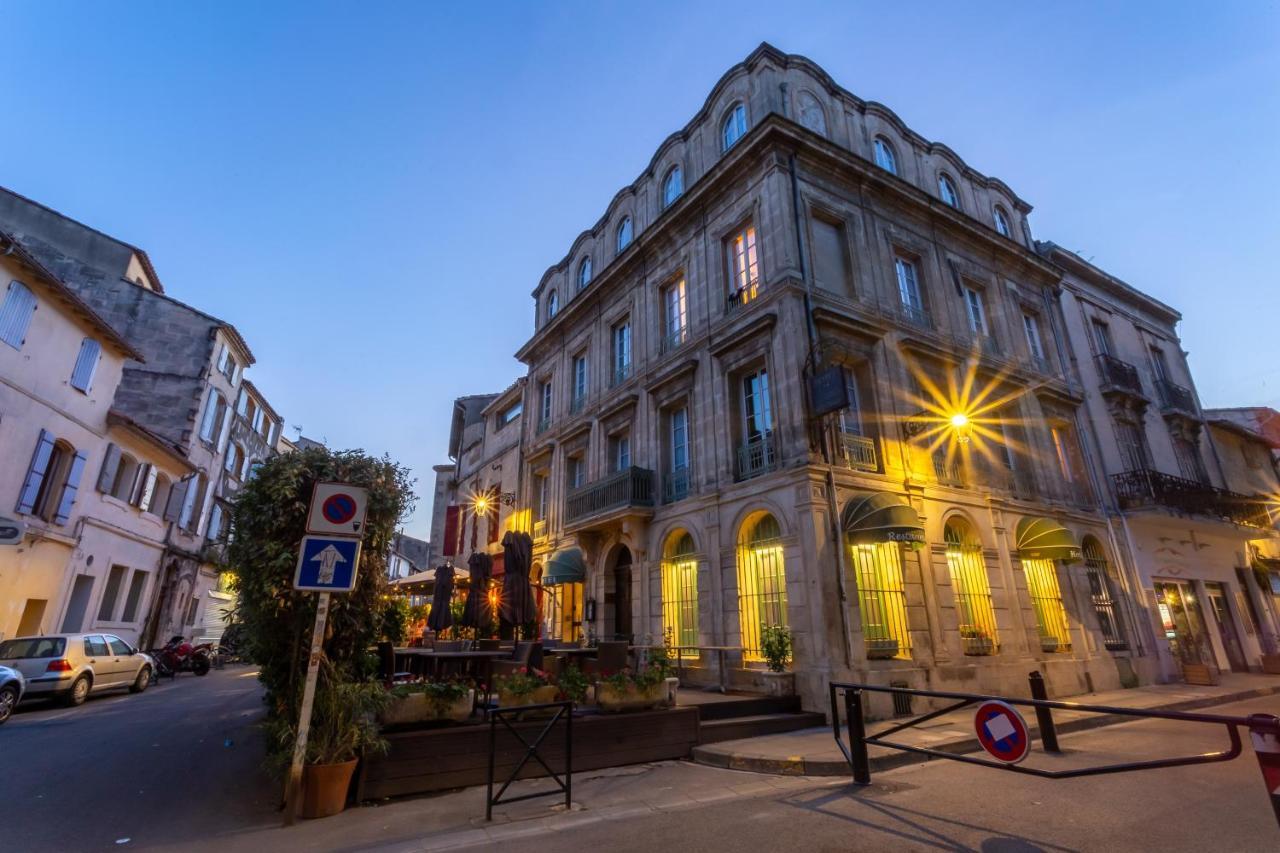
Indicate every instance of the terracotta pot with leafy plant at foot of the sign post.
{"type": "Point", "coordinates": [344, 726]}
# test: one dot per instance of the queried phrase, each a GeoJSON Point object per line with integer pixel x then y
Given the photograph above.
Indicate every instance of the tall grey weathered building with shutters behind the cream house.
{"type": "Point", "coordinates": [186, 386]}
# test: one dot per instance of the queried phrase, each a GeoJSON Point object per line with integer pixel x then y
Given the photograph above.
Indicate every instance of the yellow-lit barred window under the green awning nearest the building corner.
{"type": "Point", "coordinates": [881, 599]}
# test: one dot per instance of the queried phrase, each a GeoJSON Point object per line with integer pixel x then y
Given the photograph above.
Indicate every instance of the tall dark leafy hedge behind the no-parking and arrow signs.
{"type": "Point", "coordinates": [269, 522]}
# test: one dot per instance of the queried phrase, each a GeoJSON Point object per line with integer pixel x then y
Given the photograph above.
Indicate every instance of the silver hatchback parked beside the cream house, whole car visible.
{"type": "Point", "coordinates": [71, 667]}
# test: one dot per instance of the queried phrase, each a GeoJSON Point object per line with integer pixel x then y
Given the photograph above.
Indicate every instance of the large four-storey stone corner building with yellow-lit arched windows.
{"type": "Point", "coordinates": [796, 247]}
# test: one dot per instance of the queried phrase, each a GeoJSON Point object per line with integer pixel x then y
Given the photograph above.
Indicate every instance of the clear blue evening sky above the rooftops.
{"type": "Point", "coordinates": [371, 191]}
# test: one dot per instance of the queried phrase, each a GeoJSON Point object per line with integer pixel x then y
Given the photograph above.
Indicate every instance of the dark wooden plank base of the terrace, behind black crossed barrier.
{"type": "Point", "coordinates": [456, 758]}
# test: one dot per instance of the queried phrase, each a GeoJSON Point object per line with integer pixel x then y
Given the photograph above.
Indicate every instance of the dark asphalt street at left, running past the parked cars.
{"type": "Point", "coordinates": [154, 768]}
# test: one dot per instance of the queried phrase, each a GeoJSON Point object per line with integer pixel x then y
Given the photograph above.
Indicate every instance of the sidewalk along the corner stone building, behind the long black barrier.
{"type": "Point", "coordinates": [813, 752]}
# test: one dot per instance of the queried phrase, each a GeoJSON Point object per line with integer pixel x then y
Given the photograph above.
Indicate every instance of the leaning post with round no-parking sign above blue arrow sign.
{"type": "Point", "coordinates": [327, 564]}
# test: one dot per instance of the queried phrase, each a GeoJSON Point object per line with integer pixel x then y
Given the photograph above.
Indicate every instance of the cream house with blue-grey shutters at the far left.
{"type": "Point", "coordinates": [92, 483]}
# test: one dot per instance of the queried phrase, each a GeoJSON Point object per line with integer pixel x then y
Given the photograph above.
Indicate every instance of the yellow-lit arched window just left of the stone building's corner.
{"type": "Point", "coordinates": [762, 581]}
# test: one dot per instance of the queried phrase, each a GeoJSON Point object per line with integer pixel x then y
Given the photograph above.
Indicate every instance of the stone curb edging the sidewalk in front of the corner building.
{"type": "Point", "coordinates": [801, 767]}
